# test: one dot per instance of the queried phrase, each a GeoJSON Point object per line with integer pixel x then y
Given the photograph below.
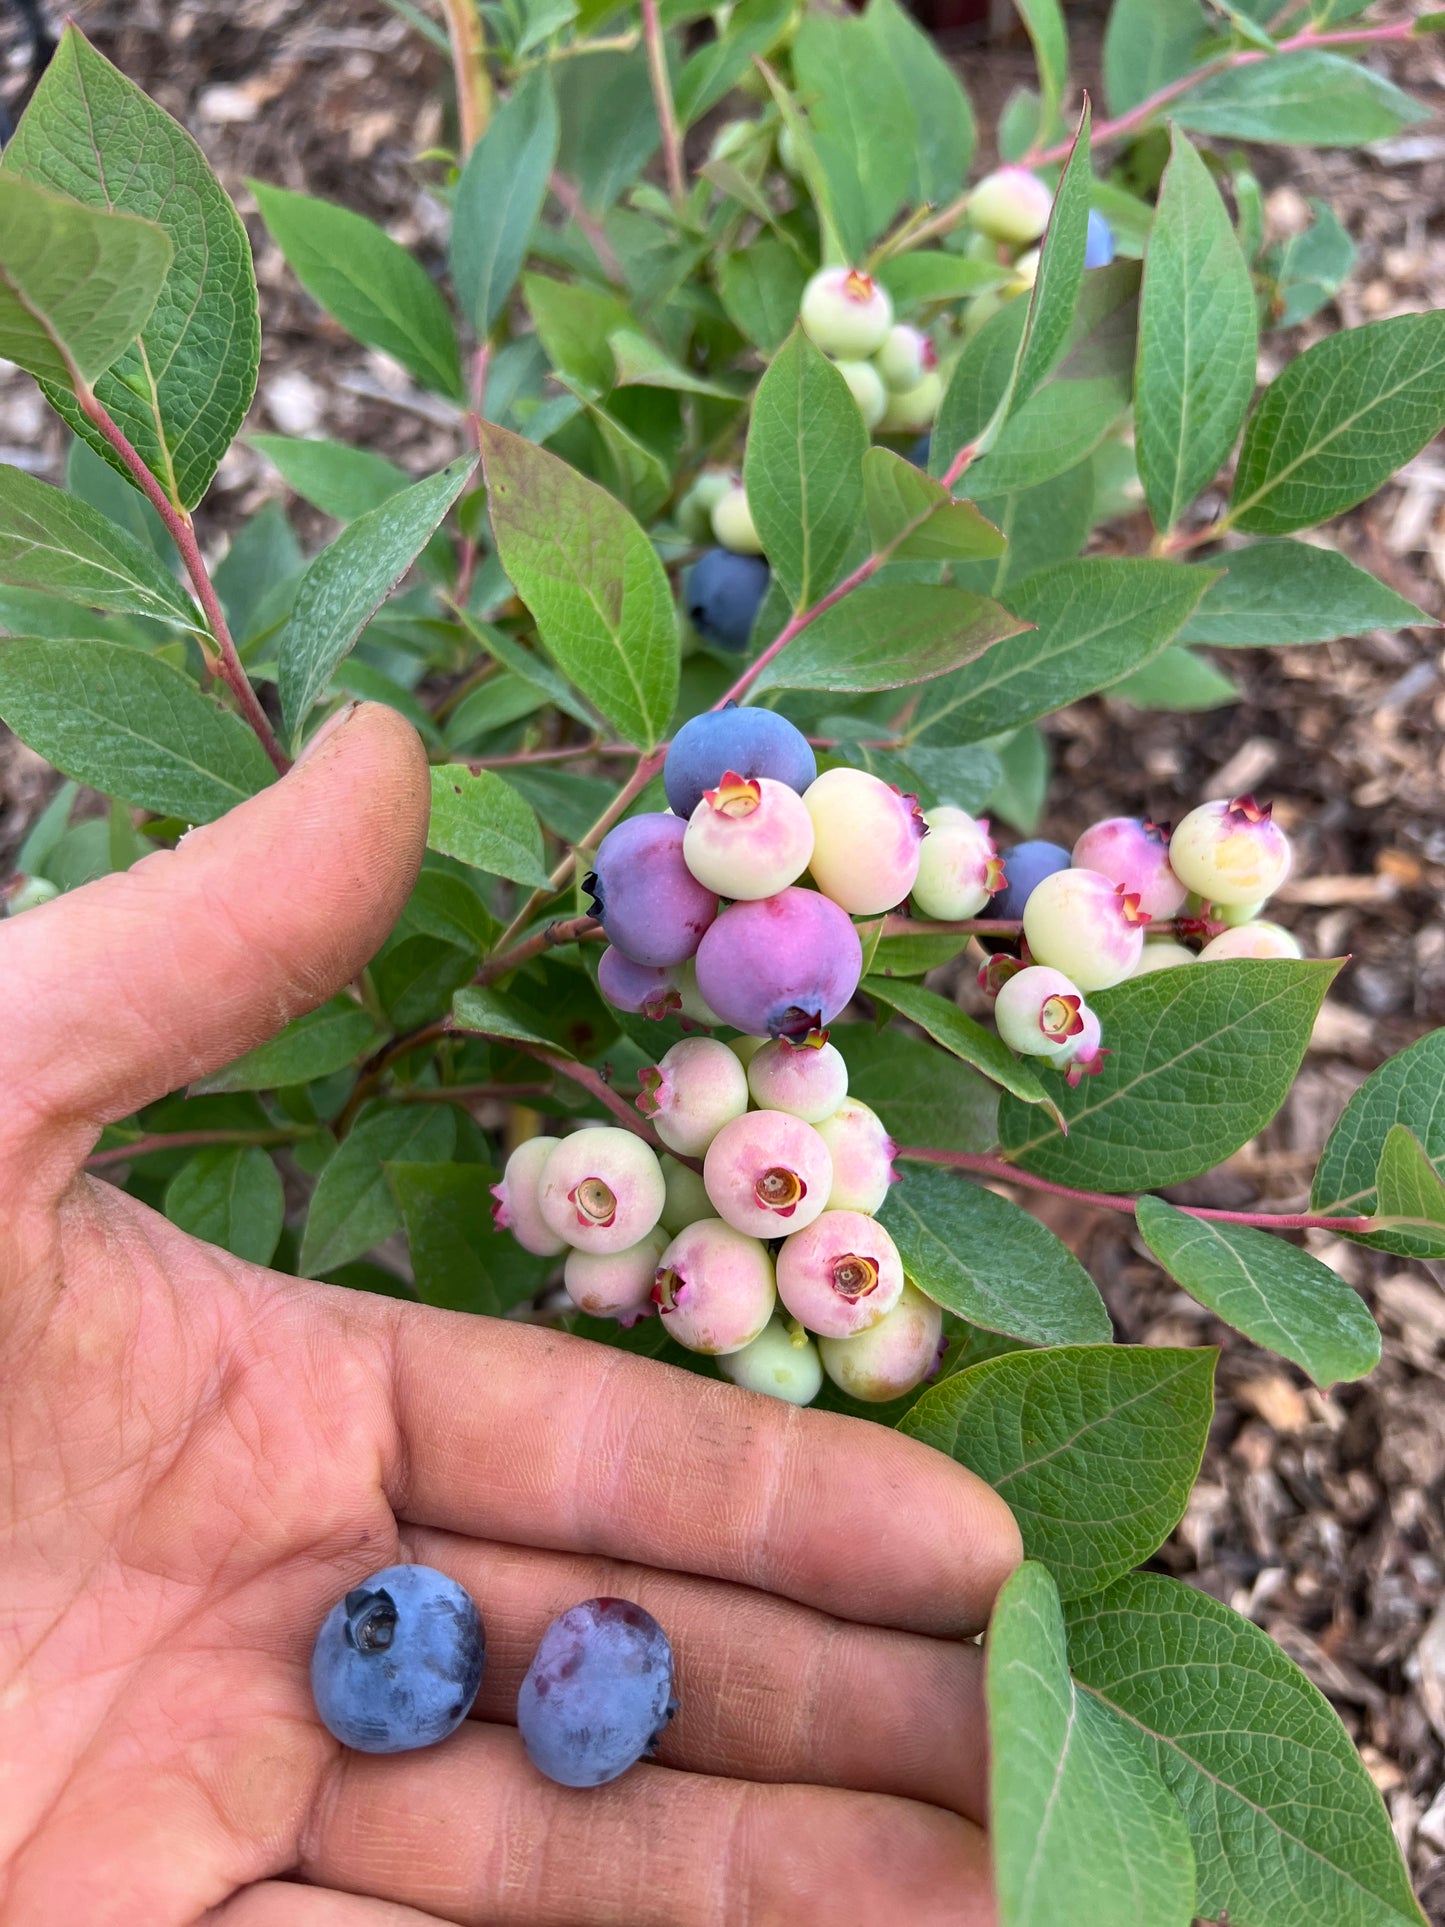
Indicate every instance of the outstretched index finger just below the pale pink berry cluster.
{"type": "Point", "coordinates": [523, 1435]}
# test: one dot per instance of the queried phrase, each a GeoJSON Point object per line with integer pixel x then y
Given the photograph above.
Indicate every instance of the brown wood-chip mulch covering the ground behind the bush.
{"type": "Point", "coordinates": [1321, 1518]}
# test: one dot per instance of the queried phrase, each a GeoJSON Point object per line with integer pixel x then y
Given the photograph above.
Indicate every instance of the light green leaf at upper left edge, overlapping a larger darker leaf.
{"type": "Point", "coordinates": [76, 286]}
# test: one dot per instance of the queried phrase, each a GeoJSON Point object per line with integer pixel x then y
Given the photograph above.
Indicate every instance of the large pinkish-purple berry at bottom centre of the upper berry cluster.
{"type": "Point", "coordinates": [781, 966]}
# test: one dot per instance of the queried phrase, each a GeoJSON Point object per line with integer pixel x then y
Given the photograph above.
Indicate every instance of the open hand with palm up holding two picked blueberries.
{"type": "Point", "coordinates": [201, 1456]}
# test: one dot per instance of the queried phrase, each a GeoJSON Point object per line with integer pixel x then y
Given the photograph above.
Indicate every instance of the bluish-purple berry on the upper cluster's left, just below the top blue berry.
{"type": "Point", "coordinates": [650, 905]}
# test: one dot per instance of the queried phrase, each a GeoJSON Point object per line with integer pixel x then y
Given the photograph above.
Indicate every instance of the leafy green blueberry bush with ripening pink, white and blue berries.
{"type": "Point", "coordinates": [789, 463]}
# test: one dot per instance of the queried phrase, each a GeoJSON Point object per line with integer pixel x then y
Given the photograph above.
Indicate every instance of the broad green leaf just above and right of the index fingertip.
{"type": "Point", "coordinates": [1093, 1446]}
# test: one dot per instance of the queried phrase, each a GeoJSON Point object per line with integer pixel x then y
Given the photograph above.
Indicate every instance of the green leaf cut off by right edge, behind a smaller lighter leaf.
{"type": "Point", "coordinates": [1404, 1092]}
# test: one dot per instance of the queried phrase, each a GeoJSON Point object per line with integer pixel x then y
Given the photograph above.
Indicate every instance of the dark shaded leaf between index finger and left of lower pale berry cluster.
{"type": "Point", "coordinates": [460, 1257]}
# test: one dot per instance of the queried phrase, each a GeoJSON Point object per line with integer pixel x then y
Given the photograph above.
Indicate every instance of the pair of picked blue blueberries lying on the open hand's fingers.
{"type": "Point", "coordinates": [398, 1666]}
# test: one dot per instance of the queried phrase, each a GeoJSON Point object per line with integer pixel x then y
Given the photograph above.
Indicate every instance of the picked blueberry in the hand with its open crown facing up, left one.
{"type": "Point", "coordinates": [398, 1662]}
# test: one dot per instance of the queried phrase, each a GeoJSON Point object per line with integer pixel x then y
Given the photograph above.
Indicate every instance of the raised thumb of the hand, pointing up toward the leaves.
{"type": "Point", "coordinates": [142, 982]}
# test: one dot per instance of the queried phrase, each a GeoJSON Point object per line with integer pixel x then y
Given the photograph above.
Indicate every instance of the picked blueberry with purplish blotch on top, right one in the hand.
{"type": "Point", "coordinates": [598, 1695]}
